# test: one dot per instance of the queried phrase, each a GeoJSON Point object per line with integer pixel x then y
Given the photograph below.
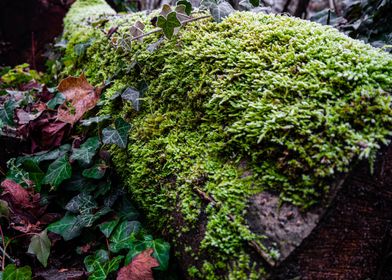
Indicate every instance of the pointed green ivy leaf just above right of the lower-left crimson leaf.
{"type": "Point", "coordinates": [58, 171]}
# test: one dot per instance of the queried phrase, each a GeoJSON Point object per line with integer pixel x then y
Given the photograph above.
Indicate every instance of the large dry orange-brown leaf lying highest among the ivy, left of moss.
{"type": "Point", "coordinates": [81, 97]}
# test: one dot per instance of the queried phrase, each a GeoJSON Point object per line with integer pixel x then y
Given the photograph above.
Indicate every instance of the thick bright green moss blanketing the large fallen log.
{"type": "Point", "coordinates": [257, 102]}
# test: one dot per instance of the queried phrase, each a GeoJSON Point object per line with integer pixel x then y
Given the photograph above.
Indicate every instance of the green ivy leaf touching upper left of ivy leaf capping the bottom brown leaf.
{"type": "Point", "coordinates": [124, 235]}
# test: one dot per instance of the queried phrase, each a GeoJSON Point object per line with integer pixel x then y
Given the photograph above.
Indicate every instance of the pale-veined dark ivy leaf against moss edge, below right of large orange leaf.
{"type": "Point", "coordinates": [118, 136]}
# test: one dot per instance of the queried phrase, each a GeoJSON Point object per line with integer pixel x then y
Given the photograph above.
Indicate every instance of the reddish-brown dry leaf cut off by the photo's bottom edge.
{"type": "Point", "coordinates": [139, 268]}
